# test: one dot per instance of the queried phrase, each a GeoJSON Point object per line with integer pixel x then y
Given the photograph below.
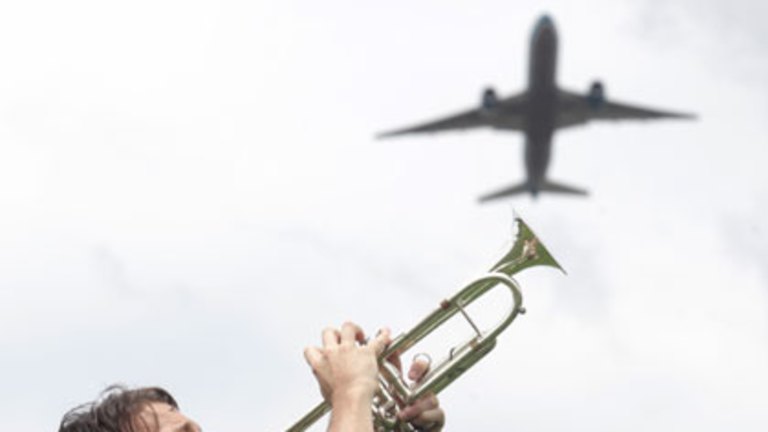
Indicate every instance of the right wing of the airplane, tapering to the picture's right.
{"type": "Point", "coordinates": [575, 109]}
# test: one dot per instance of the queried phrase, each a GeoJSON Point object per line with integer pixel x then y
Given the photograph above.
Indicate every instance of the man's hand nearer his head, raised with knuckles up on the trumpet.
{"type": "Point", "coordinates": [345, 369]}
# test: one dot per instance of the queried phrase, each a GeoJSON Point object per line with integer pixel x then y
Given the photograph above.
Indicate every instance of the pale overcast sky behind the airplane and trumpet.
{"type": "Point", "coordinates": [191, 191]}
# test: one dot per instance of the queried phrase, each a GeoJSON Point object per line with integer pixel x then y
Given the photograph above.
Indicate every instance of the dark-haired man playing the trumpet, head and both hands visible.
{"type": "Point", "coordinates": [345, 370]}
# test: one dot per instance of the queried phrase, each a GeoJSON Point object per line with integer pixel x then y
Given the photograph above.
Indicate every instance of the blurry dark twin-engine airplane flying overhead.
{"type": "Point", "coordinates": [538, 112]}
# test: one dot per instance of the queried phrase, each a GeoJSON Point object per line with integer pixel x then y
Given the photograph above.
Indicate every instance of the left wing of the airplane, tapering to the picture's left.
{"type": "Point", "coordinates": [502, 114]}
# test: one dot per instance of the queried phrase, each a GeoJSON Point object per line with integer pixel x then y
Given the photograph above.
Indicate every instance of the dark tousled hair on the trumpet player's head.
{"type": "Point", "coordinates": [114, 411]}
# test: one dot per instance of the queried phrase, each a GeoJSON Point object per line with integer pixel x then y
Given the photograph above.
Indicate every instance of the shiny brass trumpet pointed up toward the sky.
{"type": "Point", "coordinates": [394, 392]}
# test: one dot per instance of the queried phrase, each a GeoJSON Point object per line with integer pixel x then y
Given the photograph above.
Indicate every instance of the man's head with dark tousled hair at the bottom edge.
{"type": "Point", "coordinates": [149, 409]}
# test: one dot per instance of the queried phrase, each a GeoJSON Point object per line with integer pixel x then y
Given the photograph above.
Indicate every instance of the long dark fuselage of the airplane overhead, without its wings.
{"type": "Point", "coordinates": [542, 102]}
